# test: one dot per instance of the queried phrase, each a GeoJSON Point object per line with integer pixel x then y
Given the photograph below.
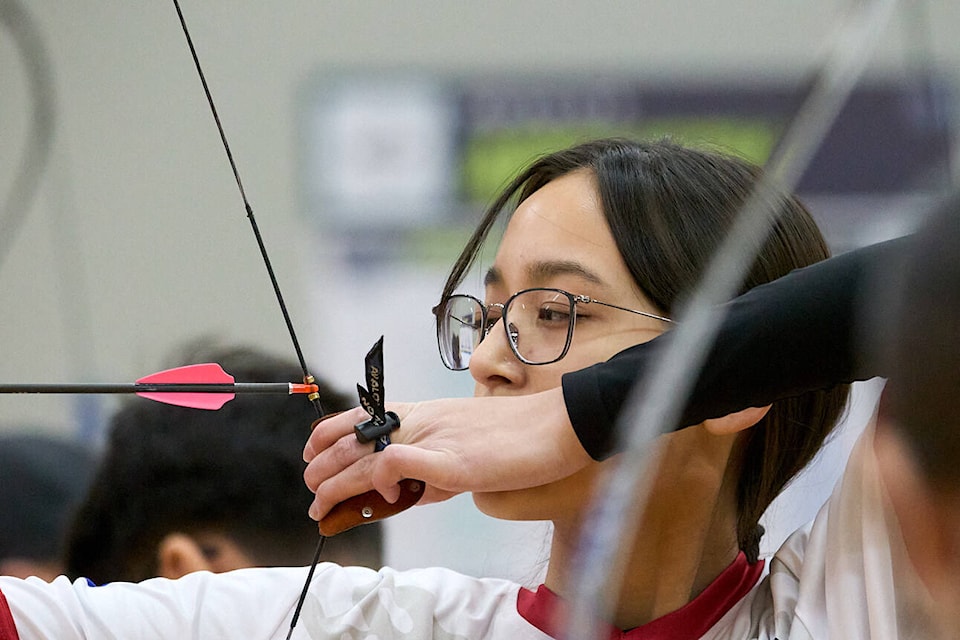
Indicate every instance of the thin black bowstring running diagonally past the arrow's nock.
{"type": "Point", "coordinates": [307, 378]}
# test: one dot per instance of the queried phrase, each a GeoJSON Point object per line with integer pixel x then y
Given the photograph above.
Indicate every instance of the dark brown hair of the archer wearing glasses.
{"type": "Point", "coordinates": [669, 207]}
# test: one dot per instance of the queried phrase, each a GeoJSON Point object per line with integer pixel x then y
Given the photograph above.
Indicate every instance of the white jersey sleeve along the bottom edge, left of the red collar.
{"type": "Point", "coordinates": [343, 603]}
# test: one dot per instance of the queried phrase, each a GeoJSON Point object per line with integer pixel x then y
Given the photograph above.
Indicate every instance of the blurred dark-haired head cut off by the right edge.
{"type": "Point", "coordinates": [918, 435]}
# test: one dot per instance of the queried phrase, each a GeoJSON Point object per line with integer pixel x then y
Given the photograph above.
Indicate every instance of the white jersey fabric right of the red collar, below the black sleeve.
{"type": "Point", "coordinates": [845, 576]}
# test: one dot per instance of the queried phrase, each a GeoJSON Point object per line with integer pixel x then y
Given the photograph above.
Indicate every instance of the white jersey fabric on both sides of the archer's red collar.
{"type": "Point", "coordinates": [845, 576]}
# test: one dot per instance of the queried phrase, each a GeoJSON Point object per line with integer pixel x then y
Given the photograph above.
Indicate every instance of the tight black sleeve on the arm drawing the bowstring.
{"type": "Point", "coordinates": [786, 337]}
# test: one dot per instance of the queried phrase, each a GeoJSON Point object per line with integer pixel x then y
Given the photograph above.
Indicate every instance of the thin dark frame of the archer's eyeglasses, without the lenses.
{"type": "Point", "coordinates": [573, 298]}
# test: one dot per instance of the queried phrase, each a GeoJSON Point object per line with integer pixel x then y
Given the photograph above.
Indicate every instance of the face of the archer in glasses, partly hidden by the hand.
{"type": "Point", "coordinates": [558, 238]}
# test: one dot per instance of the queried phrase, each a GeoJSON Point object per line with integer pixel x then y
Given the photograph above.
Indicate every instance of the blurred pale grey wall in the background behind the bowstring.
{"type": "Point", "coordinates": [137, 239]}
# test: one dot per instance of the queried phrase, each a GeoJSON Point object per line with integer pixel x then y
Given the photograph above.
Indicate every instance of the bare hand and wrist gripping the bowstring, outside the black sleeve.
{"type": "Point", "coordinates": [453, 445]}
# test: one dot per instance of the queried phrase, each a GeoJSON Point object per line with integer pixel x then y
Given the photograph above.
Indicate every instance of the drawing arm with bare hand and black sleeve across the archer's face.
{"type": "Point", "coordinates": [780, 339]}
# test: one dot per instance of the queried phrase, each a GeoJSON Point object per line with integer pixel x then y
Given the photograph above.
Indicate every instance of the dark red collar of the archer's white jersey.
{"type": "Point", "coordinates": [543, 608]}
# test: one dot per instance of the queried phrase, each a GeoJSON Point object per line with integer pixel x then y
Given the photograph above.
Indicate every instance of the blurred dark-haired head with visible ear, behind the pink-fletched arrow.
{"type": "Point", "coordinates": [181, 489]}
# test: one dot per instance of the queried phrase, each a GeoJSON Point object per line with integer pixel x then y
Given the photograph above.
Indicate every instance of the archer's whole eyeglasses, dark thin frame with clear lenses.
{"type": "Point", "coordinates": [539, 324]}
